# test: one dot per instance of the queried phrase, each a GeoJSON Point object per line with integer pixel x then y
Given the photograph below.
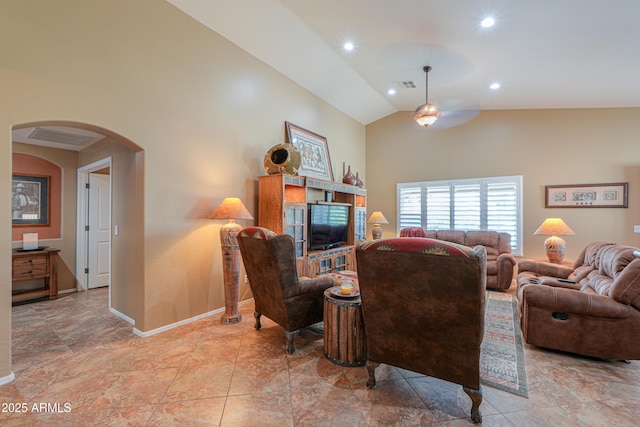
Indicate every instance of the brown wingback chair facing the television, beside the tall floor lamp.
{"type": "Point", "coordinates": [270, 262]}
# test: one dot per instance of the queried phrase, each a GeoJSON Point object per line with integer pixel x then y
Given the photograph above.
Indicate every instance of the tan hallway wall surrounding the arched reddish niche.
{"type": "Point", "coordinates": [68, 163]}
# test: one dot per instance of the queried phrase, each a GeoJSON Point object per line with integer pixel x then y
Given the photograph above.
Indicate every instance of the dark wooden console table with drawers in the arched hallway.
{"type": "Point", "coordinates": [39, 264]}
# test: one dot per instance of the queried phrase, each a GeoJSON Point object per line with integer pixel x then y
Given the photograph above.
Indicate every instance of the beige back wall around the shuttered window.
{"type": "Point", "coordinates": [547, 147]}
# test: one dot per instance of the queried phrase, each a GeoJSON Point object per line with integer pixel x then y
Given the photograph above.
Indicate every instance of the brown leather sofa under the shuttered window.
{"type": "Point", "coordinates": [500, 261]}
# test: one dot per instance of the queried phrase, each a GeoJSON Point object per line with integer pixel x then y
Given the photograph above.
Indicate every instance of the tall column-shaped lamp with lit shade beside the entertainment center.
{"type": "Point", "coordinates": [231, 208]}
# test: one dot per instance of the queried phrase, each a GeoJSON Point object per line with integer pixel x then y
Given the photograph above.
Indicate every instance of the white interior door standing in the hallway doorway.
{"type": "Point", "coordinates": [99, 239]}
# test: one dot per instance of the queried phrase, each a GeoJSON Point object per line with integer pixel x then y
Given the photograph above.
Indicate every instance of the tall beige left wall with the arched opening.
{"type": "Point", "coordinates": [203, 111]}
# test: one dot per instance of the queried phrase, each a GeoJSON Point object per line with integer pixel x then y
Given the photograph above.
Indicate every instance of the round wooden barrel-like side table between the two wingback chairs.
{"type": "Point", "coordinates": [344, 339]}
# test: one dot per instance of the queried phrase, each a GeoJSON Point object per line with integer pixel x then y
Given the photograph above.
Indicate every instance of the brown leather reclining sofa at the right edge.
{"type": "Point", "coordinates": [591, 308]}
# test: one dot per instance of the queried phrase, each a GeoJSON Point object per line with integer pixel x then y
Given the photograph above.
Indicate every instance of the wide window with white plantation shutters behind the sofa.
{"type": "Point", "coordinates": [465, 204]}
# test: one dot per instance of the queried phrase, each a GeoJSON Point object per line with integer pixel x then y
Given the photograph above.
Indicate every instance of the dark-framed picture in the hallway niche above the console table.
{"type": "Point", "coordinates": [30, 200]}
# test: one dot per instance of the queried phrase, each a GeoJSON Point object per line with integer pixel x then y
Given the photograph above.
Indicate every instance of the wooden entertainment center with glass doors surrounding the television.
{"type": "Point", "coordinates": [282, 207]}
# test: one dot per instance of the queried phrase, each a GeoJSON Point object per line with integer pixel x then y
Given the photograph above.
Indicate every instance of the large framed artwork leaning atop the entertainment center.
{"type": "Point", "coordinates": [314, 151]}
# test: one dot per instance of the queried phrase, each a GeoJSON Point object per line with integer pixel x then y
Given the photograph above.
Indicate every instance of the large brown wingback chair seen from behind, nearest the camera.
{"type": "Point", "coordinates": [423, 304]}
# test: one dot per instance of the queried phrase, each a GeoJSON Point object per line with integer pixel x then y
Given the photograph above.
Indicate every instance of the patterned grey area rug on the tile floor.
{"type": "Point", "coordinates": [502, 355]}
